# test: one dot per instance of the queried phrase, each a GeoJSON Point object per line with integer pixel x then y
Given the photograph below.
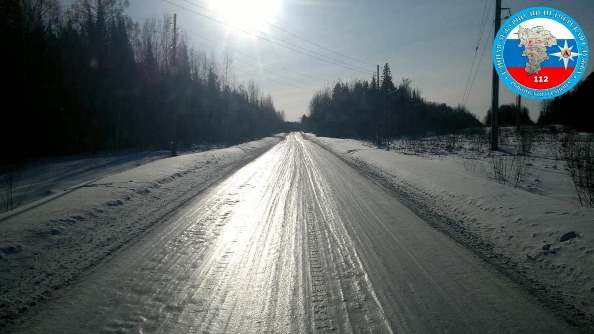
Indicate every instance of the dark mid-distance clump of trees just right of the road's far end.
{"type": "Point", "coordinates": [380, 110]}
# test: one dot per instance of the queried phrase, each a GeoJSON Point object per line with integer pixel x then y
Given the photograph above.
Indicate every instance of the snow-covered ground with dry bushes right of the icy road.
{"type": "Point", "coordinates": [536, 232]}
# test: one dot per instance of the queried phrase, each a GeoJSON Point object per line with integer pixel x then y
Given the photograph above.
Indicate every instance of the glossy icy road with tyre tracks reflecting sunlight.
{"type": "Point", "coordinates": [295, 242]}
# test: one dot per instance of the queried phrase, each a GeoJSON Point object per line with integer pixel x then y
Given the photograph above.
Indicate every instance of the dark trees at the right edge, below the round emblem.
{"type": "Point", "coordinates": [573, 108]}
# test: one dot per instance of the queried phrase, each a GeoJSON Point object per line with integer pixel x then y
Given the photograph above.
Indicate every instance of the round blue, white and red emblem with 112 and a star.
{"type": "Point", "coordinates": [540, 52]}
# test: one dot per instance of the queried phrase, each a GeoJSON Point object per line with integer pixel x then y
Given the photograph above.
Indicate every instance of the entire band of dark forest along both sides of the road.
{"type": "Point", "coordinates": [88, 78]}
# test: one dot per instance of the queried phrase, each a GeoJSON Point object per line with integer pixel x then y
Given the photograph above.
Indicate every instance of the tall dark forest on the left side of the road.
{"type": "Point", "coordinates": [89, 78]}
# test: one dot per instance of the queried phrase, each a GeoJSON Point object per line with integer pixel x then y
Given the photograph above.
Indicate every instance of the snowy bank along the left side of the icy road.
{"type": "Point", "coordinates": [46, 247]}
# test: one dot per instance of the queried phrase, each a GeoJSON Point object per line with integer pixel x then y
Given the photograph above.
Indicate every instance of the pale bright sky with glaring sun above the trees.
{"type": "Point", "coordinates": [313, 43]}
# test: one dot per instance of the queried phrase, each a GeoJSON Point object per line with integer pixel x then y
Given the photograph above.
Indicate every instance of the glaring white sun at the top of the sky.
{"type": "Point", "coordinates": [247, 15]}
